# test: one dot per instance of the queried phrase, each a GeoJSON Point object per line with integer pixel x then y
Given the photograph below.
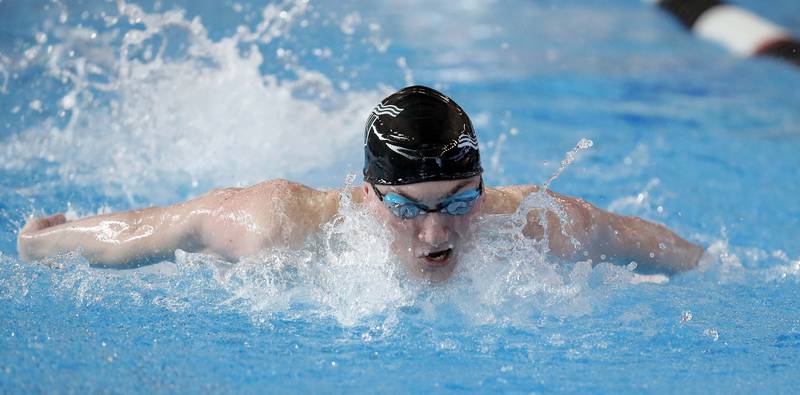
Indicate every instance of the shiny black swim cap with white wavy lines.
{"type": "Point", "coordinates": [416, 135]}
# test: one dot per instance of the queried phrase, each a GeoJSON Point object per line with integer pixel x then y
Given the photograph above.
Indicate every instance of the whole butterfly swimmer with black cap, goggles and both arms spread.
{"type": "Point", "coordinates": [422, 178]}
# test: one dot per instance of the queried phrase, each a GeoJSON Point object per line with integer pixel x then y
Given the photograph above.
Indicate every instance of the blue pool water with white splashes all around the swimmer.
{"type": "Point", "coordinates": [108, 106]}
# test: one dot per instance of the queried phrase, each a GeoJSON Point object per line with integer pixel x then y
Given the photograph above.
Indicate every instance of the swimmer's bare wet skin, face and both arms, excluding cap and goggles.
{"type": "Point", "coordinates": [235, 222]}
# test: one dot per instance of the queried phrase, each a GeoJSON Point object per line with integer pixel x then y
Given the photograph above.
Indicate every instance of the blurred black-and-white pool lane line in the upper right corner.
{"type": "Point", "coordinates": [739, 30]}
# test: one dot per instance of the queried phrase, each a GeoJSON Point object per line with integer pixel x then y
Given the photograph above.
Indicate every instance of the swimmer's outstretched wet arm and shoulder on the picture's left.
{"type": "Point", "coordinates": [229, 223]}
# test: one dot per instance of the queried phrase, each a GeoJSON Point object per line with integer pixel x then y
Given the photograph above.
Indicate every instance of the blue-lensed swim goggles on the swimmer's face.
{"type": "Point", "coordinates": [405, 208]}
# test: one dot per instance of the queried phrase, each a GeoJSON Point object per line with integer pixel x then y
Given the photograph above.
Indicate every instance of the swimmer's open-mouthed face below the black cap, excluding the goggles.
{"type": "Point", "coordinates": [429, 243]}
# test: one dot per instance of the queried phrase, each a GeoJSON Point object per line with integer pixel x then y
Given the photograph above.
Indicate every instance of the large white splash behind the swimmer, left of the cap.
{"type": "Point", "coordinates": [171, 106]}
